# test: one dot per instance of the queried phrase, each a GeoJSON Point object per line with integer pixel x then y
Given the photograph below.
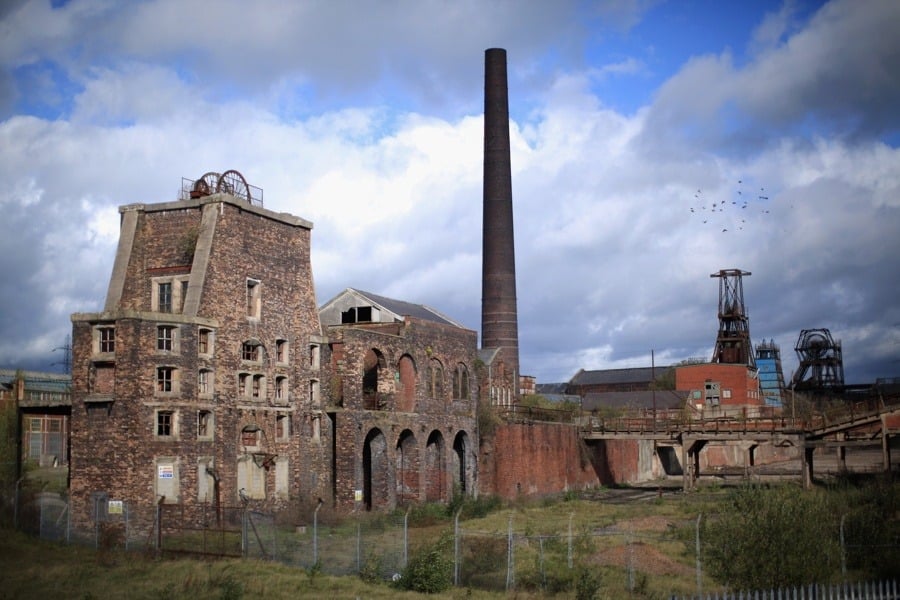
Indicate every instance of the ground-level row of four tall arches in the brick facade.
{"type": "Point", "coordinates": [405, 471]}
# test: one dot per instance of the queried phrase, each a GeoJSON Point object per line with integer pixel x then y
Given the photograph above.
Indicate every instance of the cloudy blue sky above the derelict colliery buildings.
{"type": "Point", "coordinates": [654, 143]}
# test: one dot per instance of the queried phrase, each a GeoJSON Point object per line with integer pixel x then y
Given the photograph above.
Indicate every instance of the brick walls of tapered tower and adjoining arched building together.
{"type": "Point", "coordinates": [207, 381]}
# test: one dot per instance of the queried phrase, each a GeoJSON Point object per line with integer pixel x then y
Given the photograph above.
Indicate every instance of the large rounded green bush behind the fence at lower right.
{"type": "Point", "coordinates": [772, 537]}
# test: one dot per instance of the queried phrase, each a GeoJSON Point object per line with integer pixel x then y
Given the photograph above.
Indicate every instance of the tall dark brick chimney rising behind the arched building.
{"type": "Point", "coordinates": [499, 321]}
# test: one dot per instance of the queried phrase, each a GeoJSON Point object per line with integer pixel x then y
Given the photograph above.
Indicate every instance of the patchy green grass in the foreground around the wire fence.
{"type": "Point", "coordinates": [641, 549]}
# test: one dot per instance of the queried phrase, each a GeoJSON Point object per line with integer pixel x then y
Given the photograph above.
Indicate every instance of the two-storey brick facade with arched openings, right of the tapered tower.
{"type": "Point", "coordinates": [404, 398]}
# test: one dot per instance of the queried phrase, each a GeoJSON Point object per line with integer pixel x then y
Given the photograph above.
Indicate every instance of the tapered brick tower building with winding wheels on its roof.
{"type": "Point", "coordinates": [200, 380]}
